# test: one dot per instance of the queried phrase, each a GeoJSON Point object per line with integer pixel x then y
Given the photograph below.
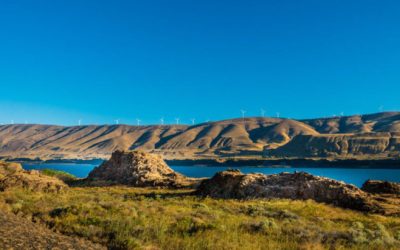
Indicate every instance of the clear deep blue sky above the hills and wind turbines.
{"type": "Point", "coordinates": [98, 61]}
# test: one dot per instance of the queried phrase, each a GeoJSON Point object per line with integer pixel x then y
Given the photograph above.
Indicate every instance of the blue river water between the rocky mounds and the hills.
{"type": "Point", "coordinates": [356, 176]}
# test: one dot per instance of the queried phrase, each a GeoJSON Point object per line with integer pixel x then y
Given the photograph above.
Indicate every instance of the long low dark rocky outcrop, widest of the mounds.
{"type": "Point", "coordinates": [234, 184]}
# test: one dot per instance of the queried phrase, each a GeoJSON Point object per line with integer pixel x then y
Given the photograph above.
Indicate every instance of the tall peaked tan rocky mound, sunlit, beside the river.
{"type": "Point", "coordinates": [139, 169]}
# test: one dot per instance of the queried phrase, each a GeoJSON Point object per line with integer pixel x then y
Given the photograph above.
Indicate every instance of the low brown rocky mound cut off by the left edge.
{"type": "Point", "coordinates": [12, 175]}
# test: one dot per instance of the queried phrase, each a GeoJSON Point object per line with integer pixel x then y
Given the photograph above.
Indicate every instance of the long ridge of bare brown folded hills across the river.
{"type": "Point", "coordinates": [350, 136]}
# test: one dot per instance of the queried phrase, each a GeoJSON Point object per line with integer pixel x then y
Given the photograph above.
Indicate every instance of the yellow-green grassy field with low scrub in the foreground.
{"type": "Point", "coordinates": [133, 218]}
